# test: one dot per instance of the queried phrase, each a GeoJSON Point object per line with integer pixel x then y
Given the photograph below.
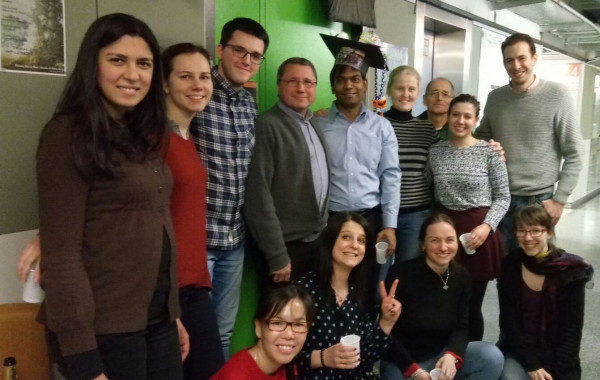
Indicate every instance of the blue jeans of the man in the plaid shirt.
{"type": "Point", "coordinates": [225, 269]}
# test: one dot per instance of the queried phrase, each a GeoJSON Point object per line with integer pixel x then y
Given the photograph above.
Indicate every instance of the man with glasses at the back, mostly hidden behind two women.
{"type": "Point", "coordinates": [438, 95]}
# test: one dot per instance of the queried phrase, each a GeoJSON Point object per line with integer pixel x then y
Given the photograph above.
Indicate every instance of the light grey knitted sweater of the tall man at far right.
{"type": "Point", "coordinates": [537, 129]}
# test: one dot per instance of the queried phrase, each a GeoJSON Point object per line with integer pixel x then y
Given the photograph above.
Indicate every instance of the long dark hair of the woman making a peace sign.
{"type": "Point", "coordinates": [359, 275]}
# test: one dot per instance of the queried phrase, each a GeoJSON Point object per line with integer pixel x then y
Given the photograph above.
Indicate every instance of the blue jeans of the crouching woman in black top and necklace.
{"type": "Point", "coordinates": [482, 361]}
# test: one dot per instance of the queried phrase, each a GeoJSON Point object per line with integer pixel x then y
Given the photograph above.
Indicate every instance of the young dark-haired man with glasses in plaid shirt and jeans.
{"type": "Point", "coordinates": [224, 138]}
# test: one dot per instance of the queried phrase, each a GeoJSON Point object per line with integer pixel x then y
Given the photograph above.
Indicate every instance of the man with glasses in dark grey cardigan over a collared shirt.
{"type": "Point", "coordinates": [288, 184]}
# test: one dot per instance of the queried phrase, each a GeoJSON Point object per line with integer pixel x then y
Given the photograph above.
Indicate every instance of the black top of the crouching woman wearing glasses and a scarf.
{"type": "Point", "coordinates": [562, 335]}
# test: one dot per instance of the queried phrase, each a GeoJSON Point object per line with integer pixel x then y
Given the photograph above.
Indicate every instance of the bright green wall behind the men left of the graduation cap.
{"type": "Point", "coordinates": [293, 27]}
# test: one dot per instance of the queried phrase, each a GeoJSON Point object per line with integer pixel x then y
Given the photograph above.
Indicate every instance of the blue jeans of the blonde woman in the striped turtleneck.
{"type": "Point", "coordinates": [407, 239]}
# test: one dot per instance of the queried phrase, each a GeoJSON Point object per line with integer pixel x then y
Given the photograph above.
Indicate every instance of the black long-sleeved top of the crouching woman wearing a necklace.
{"type": "Point", "coordinates": [432, 318]}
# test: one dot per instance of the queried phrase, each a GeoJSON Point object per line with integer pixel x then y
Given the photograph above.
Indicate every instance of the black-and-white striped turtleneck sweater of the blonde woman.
{"type": "Point", "coordinates": [415, 137]}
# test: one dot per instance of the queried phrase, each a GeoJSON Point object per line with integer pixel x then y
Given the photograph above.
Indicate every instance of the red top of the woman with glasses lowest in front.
{"type": "Point", "coordinates": [241, 366]}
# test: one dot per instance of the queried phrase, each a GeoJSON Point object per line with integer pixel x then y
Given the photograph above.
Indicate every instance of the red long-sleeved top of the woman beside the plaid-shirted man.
{"type": "Point", "coordinates": [188, 210]}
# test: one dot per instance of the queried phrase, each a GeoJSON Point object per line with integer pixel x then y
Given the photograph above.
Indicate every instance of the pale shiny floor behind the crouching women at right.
{"type": "Point", "coordinates": [577, 232]}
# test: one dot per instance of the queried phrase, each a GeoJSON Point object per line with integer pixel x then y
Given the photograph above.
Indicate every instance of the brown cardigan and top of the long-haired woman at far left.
{"type": "Point", "coordinates": [101, 243]}
